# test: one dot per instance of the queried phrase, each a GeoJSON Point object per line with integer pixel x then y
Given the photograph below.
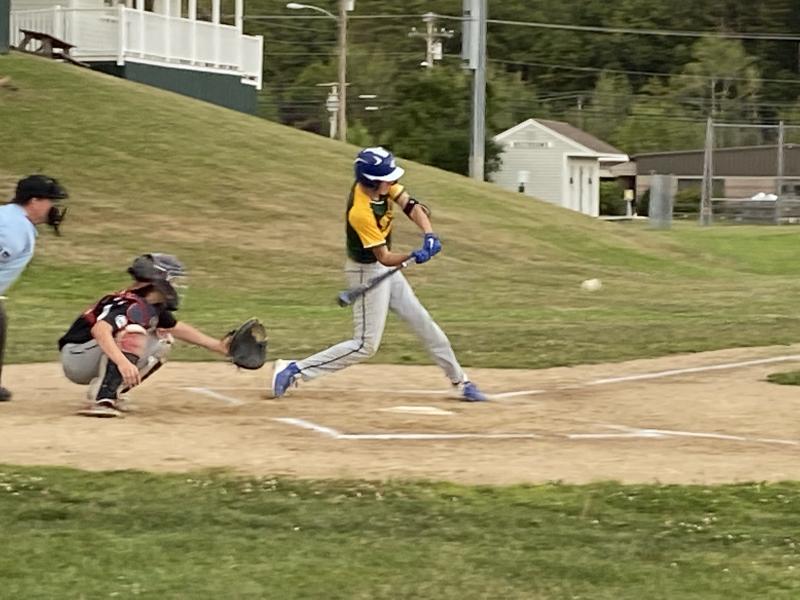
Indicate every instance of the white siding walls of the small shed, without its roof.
{"type": "Point", "coordinates": [544, 164]}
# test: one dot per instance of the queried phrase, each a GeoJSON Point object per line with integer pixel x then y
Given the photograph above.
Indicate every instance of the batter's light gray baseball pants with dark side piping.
{"type": "Point", "coordinates": [369, 319]}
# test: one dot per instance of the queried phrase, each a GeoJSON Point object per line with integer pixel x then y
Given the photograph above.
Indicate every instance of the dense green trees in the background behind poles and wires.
{"type": "Point", "coordinates": [538, 72]}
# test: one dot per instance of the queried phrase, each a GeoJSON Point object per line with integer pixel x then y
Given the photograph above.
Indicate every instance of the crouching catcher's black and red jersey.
{"type": "Point", "coordinates": [126, 307]}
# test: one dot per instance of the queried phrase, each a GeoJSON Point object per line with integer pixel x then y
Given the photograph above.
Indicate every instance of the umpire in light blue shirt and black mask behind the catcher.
{"type": "Point", "coordinates": [35, 202]}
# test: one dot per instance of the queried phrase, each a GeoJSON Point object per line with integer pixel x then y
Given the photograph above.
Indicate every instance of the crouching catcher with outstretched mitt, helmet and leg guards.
{"type": "Point", "coordinates": [125, 337]}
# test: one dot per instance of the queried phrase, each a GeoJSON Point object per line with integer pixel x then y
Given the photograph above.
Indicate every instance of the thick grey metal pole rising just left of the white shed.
{"type": "Point", "coordinates": [474, 54]}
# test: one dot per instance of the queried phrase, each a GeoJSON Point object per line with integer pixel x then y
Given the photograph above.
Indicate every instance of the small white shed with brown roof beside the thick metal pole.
{"type": "Point", "coordinates": [556, 162]}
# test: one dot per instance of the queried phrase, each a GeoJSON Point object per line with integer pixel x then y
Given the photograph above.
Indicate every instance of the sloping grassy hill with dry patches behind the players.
{"type": "Point", "coordinates": [256, 211]}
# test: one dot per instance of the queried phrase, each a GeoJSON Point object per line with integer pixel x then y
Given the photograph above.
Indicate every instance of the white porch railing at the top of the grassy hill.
{"type": "Point", "coordinates": [122, 34]}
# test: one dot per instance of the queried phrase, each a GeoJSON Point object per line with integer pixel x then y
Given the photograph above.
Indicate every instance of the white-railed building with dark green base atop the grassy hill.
{"type": "Point", "coordinates": [158, 42]}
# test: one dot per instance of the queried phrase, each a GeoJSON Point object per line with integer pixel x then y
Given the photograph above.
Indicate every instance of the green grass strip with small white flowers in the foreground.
{"type": "Point", "coordinates": [71, 534]}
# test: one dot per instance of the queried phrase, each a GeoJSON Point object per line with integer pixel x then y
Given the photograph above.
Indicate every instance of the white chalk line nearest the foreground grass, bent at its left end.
{"type": "Point", "coordinates": [623, 433]}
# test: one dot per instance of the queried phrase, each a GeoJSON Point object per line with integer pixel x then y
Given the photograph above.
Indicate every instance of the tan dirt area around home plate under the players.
{"type": "Point", "coordinates": [700, 418]}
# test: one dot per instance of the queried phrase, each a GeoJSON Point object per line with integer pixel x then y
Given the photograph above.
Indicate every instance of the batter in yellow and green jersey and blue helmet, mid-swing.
{"type": "Point", "coordinates": [375, 196]}
